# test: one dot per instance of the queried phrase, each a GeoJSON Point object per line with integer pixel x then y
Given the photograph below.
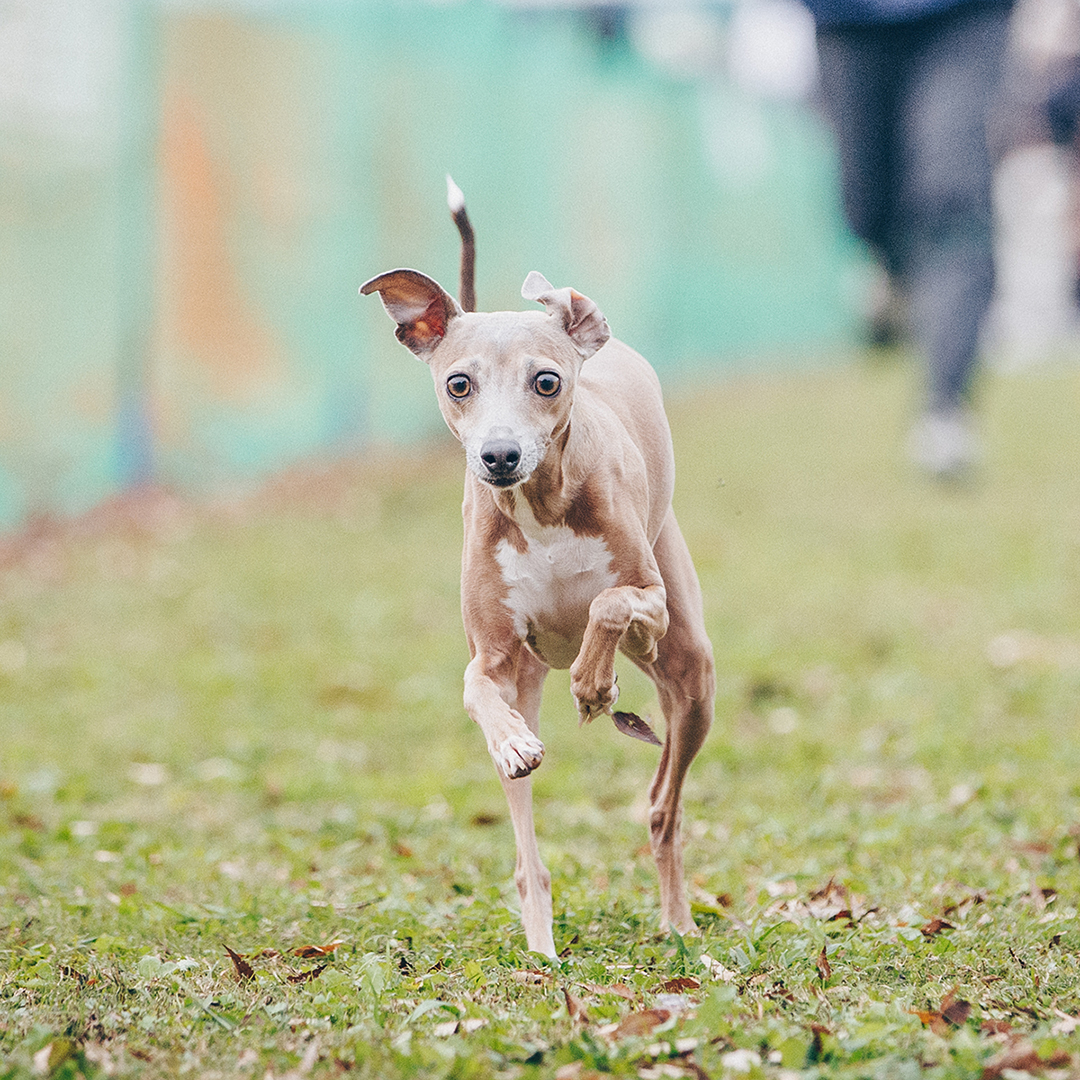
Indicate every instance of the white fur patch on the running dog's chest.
{"type": "Point", "coordinates": [551, 586]}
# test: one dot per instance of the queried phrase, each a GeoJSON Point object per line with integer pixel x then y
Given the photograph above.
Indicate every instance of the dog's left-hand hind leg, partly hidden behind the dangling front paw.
{"type": "Point", "coordinates": [531, 875]}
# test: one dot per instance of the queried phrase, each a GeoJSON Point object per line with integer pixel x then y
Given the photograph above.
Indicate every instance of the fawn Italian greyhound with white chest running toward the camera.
{"type": "Point", "coordinates": [572, 550]}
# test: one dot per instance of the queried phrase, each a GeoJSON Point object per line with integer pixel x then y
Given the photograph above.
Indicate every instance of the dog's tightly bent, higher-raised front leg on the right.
{"type": "Point", "coordinates": [623, 616]}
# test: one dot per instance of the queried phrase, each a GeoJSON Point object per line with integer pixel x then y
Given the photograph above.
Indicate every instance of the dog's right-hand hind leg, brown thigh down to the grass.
{"type": "Point", "coordinates": [686, 684]}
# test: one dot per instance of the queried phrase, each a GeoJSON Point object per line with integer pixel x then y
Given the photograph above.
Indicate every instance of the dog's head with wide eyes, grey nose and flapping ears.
{"type": "Point", "coordinates": [505, 380]}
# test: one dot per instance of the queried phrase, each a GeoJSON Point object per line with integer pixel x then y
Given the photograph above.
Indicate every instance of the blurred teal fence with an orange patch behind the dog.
{"type": "Point", "coordinates": [191, 194]}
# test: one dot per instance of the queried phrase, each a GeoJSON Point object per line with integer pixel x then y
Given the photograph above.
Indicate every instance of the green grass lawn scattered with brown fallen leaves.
{"type": "Point", "coordinates": [240, 727]}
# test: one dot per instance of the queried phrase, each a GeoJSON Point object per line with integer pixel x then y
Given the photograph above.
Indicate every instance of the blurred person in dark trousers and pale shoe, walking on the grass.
{"type": "Point", "coordinates": [909, 87]}
